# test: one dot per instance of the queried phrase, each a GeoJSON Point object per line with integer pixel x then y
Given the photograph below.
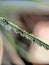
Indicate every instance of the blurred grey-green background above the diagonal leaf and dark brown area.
{"type": "Point", "coordinates": [10, 9]}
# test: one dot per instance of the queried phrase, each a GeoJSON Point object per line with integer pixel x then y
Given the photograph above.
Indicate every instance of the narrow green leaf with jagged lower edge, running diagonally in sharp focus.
{"type": "Point", "coordinates": [10, 26]}
